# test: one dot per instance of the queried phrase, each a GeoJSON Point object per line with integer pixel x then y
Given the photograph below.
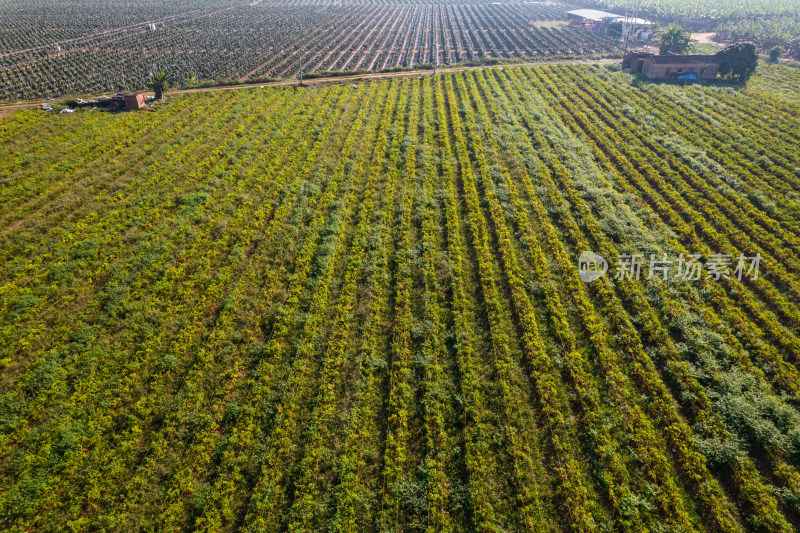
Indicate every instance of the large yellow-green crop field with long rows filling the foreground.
{"type": "Point", "coordinates": [359, 308]}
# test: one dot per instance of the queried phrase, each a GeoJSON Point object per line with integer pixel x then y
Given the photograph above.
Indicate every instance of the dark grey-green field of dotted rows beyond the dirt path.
{"type": "Point", "coordinates": [114, 45]}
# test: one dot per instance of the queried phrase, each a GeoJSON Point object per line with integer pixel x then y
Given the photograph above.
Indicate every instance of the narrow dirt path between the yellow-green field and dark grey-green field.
{"type": "Point", "coordinates": [377, 76]}
